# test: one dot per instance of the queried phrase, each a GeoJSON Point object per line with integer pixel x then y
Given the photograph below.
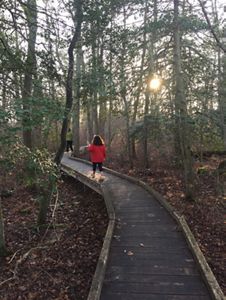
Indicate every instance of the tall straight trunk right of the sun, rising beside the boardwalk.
{"type": "Point", "coordinates": [181, 107]}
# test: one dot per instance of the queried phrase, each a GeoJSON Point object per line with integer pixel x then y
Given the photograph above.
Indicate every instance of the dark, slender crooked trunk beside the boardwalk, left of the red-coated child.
{"type": "Point", "coordinates": [69, 93]}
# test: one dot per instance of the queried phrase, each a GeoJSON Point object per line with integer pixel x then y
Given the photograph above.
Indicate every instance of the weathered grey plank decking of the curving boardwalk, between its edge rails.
{"type": "Point", "coordinates": [149, 257]}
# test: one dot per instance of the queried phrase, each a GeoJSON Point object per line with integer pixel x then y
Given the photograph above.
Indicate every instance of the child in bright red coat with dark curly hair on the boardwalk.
{"type": "Point", "coordinates": [97, 154]}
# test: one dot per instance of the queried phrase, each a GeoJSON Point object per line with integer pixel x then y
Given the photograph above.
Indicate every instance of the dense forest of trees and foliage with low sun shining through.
{"type": "Point", "coordinates": [149, 76]}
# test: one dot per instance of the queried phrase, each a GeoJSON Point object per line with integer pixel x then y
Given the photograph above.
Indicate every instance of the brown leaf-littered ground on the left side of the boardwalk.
{"type": "Point", "coordinates": [55, 263]}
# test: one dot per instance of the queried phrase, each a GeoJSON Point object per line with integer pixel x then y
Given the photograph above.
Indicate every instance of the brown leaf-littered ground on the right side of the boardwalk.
{"type": "Point", "coordinates": [206, 216]}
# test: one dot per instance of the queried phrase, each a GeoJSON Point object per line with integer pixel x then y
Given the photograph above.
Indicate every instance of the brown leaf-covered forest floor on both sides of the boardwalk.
{"type": "Point", "coordinates": [59, 262]}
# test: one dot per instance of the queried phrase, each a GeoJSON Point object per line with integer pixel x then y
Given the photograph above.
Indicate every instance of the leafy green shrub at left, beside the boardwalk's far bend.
{"type": "Point", "coordinates": [37, 170]}
